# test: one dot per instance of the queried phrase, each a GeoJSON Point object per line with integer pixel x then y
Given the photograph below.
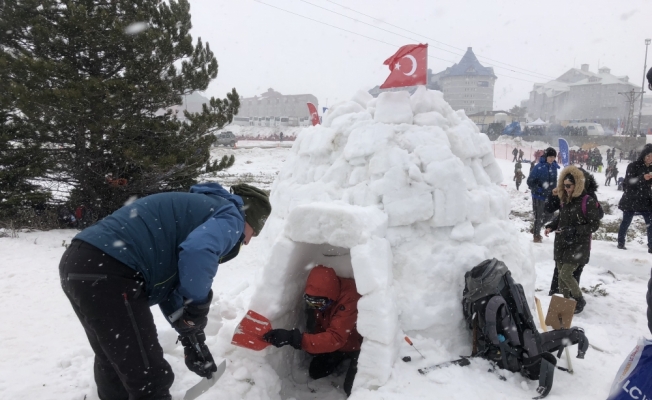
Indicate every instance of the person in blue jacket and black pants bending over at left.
{"type": "Point", "coordinates": [164, 250]}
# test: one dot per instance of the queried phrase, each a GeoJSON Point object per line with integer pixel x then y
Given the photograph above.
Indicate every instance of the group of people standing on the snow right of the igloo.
{"type": "Point", "coordinates": [572, 192]}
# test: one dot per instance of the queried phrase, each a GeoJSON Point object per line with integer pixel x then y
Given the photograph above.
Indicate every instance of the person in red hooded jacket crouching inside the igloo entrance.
{"type": "Point", "coordinates": [331, 335]}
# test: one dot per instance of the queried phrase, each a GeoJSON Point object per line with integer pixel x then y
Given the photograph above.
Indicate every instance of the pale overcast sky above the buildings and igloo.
{"type": "Point", "coordinates": [258, 45]}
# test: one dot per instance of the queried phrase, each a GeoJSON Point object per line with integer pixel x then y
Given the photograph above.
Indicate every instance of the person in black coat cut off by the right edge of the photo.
{"type": "Point", "coordinates": [637, 196]}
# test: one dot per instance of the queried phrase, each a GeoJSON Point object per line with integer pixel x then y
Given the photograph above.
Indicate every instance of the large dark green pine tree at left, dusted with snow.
{"type": "Point", "coordinates": [89, 90]}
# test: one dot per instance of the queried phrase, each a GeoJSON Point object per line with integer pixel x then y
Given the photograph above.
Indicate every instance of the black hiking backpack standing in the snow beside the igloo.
{"type": "Point", "coordinates": [496, 310]}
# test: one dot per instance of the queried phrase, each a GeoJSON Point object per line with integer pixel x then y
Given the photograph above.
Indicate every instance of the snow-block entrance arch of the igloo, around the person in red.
{"type": "Point", "coordinates": [350, 240]}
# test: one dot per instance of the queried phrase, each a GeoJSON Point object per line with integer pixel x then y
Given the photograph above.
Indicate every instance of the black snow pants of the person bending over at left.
{"type": "Point", "coordinates": [108, 298]}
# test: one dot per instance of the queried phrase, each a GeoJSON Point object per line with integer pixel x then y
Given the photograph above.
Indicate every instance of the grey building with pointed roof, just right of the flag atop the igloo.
{"type": "Point", "coordinates": [467, 85]}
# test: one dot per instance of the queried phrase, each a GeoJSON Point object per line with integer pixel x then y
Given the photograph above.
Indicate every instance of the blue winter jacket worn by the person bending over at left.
{"type": "Point", "coordinates": [175, 240]}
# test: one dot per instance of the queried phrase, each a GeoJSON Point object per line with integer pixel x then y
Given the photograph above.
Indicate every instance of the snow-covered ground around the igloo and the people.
{"type": "Point", "coordinates": [45, 355]}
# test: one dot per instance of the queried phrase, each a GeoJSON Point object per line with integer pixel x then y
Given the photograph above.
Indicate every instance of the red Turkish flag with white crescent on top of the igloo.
{"type": "Point", "coordinates": [409, 67]}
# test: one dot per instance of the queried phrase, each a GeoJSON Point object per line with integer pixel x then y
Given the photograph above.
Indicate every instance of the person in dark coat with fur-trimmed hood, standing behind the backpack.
{"type": "Point", "coordinates": [578, 218]}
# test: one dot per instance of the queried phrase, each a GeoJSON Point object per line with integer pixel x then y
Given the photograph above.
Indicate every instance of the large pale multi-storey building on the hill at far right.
{"type": "Point", "coordinates": [580, 94]}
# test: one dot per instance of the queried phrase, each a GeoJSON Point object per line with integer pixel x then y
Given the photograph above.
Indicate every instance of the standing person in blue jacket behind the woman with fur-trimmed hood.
{"type": "Point", "coordinates": [541, 181]}
